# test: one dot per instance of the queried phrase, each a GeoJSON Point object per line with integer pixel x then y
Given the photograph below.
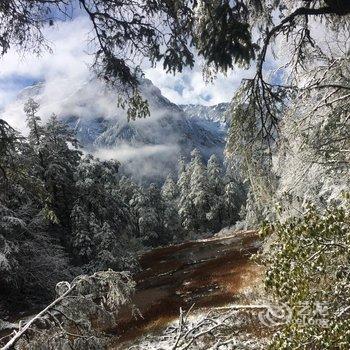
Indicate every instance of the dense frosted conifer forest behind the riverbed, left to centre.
{"type": "Point", "coordinates": [64, 213]}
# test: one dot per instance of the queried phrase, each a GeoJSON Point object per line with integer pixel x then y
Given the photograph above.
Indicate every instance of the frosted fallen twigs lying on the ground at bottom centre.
{"type": "Point", "coordinates": [208, 329]}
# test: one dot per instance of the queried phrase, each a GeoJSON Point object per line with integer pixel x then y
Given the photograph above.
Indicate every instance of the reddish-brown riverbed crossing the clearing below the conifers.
{"type": "Point", "coordinates": [205, 273]}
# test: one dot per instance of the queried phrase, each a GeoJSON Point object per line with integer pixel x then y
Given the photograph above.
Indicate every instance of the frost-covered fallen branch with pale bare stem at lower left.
{"type": "Point", "coordinates": [99, 295]}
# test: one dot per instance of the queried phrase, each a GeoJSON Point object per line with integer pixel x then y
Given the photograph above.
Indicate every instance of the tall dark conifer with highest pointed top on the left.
{"type": "Point", "coordinates": [53, 158]}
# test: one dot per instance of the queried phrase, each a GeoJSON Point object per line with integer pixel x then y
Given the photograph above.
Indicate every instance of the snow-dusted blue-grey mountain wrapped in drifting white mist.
{"type": "Point", "coordinates": [147, 148]}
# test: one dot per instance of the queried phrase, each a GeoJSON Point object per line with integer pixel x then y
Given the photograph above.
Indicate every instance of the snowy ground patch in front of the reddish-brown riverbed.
{"type": "Point", "coordinates": [209, 329]}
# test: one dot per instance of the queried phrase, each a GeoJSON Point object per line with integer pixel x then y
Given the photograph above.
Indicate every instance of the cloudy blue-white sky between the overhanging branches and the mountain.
{"type": "Point", "coordinates": [69, 60]}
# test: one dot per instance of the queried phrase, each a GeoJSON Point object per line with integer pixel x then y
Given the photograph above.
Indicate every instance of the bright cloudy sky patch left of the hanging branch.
{"type": "Point", "coordinates": [68, 60]}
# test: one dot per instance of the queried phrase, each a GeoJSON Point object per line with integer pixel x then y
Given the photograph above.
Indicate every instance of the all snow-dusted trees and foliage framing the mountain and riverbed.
{"type": "Point", "coordinates": [288, 144]}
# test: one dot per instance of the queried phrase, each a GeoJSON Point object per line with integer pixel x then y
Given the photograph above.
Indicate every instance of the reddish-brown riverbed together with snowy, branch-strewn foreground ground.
{"type": "Point", "coordinates": [186, 297]}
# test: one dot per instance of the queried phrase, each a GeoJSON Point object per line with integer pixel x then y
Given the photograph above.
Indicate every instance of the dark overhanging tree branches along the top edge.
{"type": "Point", "coordinates": [173, 32]}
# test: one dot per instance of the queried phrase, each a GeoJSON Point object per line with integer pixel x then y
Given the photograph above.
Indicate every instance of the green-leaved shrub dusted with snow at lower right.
{"type": "Point", "coordinates": [308, 269]}
